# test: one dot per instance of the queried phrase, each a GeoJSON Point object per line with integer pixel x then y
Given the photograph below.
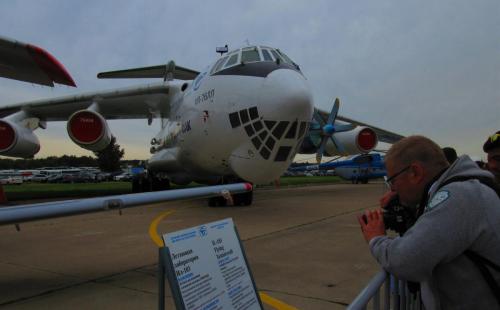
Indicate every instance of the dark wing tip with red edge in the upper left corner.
{"type": "Point", "coordinates": [30, 63]}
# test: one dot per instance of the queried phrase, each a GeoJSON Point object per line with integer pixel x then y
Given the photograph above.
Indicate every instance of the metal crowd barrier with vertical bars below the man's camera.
{"type": "Point", "coordinates": [396, 295]}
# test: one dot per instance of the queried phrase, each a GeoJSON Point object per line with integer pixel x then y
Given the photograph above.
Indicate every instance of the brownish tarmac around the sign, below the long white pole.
{"type": "Point", "coordinates": [303, 244]}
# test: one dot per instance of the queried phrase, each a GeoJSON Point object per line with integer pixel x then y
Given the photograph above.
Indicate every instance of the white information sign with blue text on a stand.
{"type": "Point", "coordinates": [210, 268]}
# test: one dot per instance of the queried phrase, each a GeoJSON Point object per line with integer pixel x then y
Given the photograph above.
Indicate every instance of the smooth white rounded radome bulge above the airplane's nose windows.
{"type": "Point", "coordinates": [286, 93]}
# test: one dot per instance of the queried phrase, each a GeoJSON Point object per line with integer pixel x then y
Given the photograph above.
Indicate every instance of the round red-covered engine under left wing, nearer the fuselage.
{"type": "Point", "coordinates": [89, 130]}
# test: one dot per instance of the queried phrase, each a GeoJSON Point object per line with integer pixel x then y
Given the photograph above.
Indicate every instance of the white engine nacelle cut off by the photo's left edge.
{"type": "Point", "coordinates": [17, 141]}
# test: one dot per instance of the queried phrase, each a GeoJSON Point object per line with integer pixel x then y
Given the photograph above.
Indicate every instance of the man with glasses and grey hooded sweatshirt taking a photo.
{"type": "Point", "coordinates": [456, 232]}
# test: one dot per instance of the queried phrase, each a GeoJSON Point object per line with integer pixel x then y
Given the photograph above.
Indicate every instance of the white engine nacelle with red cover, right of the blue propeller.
{"type": "Point", "coordinates": [358, 140]}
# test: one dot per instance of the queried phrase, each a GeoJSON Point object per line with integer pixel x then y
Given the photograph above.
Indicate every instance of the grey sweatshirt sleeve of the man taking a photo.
{"type": "Point", "coordinates": [448, 227]}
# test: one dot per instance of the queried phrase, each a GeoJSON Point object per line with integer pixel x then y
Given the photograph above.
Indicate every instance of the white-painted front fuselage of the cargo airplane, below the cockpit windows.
{"type": "Point", "coordinates": [198, 142]}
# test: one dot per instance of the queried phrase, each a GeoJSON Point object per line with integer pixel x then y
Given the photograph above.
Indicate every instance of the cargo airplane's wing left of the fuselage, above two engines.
{"type": "Point", "coordinates": [136, 102]}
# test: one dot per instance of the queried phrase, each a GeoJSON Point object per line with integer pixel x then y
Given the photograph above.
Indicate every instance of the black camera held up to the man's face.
{"type": "Point", "coordinates": [398, 217]}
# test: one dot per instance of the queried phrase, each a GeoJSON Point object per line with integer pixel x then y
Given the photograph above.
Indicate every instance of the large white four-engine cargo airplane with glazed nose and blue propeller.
{"type": "Point", "coordinates": [243, 118]}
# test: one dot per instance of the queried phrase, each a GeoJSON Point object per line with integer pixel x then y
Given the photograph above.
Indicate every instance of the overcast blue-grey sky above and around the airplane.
{"type": "Point", "coordinates": [412, 67]}
